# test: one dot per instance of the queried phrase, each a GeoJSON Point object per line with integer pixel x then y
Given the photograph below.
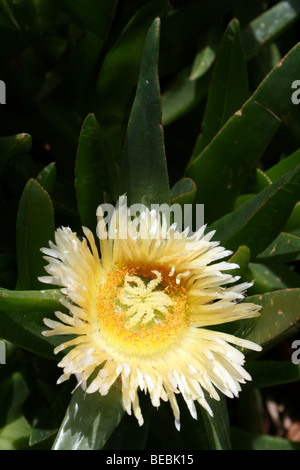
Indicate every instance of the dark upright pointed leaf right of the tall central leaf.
{"type": "Point", "coordinates": [229, 87]}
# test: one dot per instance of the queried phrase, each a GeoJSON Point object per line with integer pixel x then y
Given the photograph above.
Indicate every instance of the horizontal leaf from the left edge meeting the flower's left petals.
{"type": "Point", "coordinates": [22, 314]}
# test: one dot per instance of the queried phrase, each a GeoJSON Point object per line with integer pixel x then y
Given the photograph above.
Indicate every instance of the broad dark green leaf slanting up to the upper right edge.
{"type": "Point", "coordinates": [223, 166]}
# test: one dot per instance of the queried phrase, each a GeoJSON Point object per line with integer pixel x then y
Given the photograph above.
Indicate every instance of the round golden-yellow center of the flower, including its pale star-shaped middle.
{"type": "Point", "coordinates": [142, 310]}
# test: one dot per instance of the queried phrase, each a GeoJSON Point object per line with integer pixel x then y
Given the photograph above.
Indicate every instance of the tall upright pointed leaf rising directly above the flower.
{"type": "Point", "coordinates": [144, 175]}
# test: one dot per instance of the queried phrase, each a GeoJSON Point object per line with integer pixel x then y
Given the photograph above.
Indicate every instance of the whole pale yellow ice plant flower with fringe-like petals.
{"type": "Point", "coordinates": [141, 314]}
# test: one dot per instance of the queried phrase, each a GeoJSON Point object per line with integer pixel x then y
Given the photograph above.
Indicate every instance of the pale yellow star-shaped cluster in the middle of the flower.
{"type": "Point", "coordinates": [141, 300]}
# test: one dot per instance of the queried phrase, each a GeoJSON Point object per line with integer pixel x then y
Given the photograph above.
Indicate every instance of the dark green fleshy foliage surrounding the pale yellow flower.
{"type": "Point", "coordinates": [174, 101]}
